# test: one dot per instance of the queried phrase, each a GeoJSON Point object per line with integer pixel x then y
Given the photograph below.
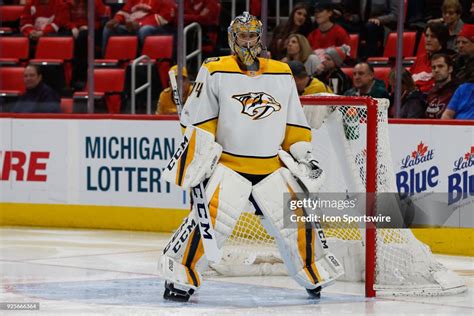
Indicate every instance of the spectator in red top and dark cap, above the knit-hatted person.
{"type": "Point", "coordinates": [328, 34]}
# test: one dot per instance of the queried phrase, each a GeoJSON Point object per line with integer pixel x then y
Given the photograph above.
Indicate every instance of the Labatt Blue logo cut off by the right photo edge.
{"type": "Point", "coordinates": [460, 182]}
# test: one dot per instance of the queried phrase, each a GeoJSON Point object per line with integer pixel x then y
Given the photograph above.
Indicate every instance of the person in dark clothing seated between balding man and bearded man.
{"type": "Point", "coordinates": [413, 101]}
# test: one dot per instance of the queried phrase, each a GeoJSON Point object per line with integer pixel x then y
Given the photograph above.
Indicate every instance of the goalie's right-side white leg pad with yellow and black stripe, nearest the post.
{"type": "Point", "coordinates": [304, 249]}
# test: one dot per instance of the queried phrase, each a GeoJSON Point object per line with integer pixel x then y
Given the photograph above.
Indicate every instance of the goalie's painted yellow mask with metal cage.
{"type": "Point", "coordinates": [245, 38]}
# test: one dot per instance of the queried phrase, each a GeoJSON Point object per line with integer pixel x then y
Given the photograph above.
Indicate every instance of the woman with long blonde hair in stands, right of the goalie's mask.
{"type": "Point", "coordinates": [298, 49]}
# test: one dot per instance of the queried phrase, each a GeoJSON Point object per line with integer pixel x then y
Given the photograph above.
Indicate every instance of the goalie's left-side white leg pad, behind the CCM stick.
{"type": "Point", "coordinates": [183, 259]}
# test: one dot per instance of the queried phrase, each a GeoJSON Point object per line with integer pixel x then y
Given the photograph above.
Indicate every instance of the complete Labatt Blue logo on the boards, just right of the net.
{"type": "Point", "coordinates": [410, 182]}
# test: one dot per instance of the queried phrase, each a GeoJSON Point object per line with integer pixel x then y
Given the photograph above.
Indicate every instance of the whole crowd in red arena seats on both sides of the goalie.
{"type": "Point", "coordinates": [343, 46]}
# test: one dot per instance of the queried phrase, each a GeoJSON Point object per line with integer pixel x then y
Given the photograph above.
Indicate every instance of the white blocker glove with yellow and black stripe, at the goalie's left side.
{"type": "Point", "coordinates": [194, 160]}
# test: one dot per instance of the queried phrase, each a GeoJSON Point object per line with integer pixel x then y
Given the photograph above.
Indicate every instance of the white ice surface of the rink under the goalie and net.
{"type": "Point", "coordinates": [114, 272]}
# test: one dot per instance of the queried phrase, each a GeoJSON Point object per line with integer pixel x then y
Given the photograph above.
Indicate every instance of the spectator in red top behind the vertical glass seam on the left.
{"type": "Point", "coordinates": [77, 24]}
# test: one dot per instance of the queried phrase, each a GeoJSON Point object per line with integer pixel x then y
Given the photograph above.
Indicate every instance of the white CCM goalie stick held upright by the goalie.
{"type": "Point", "coordinates": [198, 194]}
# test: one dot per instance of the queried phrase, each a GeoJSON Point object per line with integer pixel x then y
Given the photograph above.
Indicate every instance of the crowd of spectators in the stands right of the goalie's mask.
{"type": "Point", "coordinates": [431, 75]}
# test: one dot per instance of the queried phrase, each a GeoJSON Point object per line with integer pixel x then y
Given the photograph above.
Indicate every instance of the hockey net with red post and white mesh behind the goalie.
{"type": "Point", "coordinates": [390, 261]}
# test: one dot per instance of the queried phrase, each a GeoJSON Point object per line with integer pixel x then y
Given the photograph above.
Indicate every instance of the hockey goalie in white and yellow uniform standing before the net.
{"type": "Point", "coordinates": [247, 143]}
